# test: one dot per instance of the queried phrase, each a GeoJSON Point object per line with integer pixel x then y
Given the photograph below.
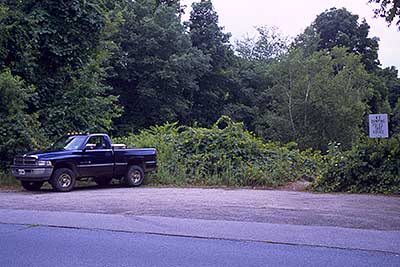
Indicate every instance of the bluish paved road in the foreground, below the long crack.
{"type": "Point", "coordinates": [29, 246]}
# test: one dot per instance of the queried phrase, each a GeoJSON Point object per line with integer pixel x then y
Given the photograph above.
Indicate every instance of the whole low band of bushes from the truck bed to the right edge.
{"type": "Point", "coordinates": [227, 154]}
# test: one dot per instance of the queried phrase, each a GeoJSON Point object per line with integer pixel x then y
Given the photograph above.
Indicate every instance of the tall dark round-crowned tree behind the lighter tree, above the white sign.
{"type": "Point", "coordinates": [338, 27]}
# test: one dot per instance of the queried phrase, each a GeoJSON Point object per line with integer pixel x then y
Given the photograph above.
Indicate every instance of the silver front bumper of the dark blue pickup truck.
{"type": "Point", "coordinates": [32, 173]}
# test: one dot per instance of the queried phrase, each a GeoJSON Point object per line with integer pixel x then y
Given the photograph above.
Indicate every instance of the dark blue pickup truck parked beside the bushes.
{"type": "Point", "coordinates": [82, 156]}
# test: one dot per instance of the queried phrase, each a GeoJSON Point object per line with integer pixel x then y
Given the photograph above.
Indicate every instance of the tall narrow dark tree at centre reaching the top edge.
{"type": "Point", "coordinates": [208, 36]}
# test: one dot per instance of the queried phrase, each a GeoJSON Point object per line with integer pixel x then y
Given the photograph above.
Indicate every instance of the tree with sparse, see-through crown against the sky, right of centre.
{"type": "Point", "coordinates": [250, 74]}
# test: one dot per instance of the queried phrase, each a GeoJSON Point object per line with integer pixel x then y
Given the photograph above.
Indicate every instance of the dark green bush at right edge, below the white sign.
{"type": "Point", "coordinates": [371, 166]}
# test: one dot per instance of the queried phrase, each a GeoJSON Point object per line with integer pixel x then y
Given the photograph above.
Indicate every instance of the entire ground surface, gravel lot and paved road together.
{"type": "Point", "coordinates": [197, 227]}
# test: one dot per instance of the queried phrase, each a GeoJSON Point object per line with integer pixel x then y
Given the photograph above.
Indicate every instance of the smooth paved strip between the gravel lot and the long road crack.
{"type": "Point", "coordinates": [319, 236]}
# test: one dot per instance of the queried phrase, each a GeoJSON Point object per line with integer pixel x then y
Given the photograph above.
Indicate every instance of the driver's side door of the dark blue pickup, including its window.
{"type": "Point", "coordinates": [99, 161]}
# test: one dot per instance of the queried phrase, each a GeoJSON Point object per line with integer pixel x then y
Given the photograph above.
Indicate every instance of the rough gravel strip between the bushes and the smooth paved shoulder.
{"type": "Point", "coordinates": [344, 210]}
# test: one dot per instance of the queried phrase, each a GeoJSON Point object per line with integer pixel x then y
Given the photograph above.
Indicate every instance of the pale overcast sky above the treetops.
{"type": "Point", "coordinates": [292, 17]}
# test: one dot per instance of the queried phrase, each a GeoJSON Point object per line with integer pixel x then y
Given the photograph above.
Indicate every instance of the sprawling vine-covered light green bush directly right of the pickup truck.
{"type": "Point", "coordinates": [225, 154]}
